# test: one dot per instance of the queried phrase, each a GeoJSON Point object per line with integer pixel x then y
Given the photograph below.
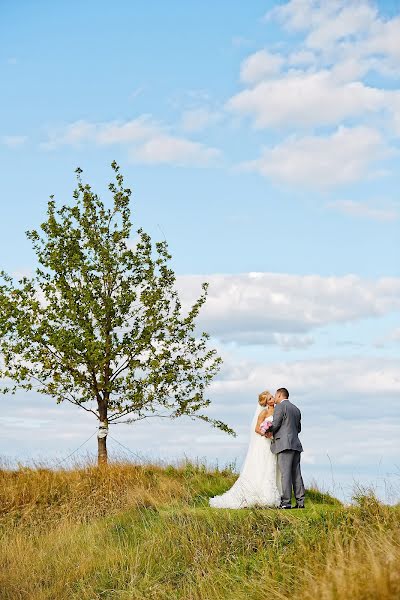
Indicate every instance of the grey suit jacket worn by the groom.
{"type": "Point", "coordinates": [286, 427]}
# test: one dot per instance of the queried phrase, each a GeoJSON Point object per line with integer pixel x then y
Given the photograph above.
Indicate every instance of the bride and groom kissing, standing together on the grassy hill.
{"type": "Point", "coordinates": [271, 468]}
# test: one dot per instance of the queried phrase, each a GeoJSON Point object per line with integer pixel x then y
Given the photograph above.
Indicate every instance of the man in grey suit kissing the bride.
{"type": "Point", "coordinates": [285, 428]}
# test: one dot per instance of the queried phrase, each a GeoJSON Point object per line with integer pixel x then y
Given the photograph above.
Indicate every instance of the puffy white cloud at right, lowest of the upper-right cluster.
{"type": "Point", "coordinates": [316, 161]}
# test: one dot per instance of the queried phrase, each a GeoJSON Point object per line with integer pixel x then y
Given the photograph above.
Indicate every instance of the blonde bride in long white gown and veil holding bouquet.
{"type": "Point", "coordinates": [258, 481]}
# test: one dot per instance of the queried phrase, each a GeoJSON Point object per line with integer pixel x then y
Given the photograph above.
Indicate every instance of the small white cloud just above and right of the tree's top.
{"type": "Point", "coordinates": [169, 149]}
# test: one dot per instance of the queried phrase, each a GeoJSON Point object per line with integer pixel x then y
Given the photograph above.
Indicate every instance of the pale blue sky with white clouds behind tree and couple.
{"type": "Point", "coordinates": [261, 140]}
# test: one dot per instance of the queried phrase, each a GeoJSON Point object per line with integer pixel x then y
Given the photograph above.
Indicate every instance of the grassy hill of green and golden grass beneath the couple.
{"type": "Point", "coordinates": [133, 532]}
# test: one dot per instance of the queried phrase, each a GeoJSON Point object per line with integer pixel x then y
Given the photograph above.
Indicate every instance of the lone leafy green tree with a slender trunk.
{"type": "Point", "coordinates": [100, 324]}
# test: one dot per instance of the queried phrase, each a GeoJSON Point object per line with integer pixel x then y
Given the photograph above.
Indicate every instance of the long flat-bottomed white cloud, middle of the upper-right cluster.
{"type": "Point", "coordinates": [306, 99]}
